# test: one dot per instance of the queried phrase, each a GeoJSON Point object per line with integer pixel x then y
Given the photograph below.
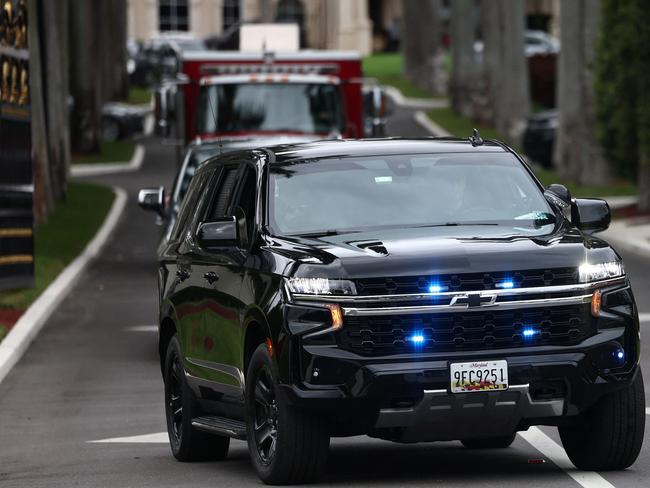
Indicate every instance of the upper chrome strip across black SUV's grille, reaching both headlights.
{"type": "Point", "coordinates": [455, 295]}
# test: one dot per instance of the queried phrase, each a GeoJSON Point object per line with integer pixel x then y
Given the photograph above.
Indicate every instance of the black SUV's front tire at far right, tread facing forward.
{"type": "Point", "coordinates": [609, 435]}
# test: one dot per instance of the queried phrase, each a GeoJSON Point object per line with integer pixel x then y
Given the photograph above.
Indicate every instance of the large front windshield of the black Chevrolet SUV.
{"type": "Point", "coordinates": [341, 195]}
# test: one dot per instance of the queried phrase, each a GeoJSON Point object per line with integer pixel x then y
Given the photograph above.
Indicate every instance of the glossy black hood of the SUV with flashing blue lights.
{"type": "Point", "coordinates": [433, 251]}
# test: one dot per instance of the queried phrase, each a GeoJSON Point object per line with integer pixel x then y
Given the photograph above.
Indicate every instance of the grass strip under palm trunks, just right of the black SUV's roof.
{"type": "Point", "coordinates": [462, 127]}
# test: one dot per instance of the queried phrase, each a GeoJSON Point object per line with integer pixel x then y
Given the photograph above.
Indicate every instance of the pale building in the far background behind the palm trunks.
{"type": "Point", "coordinates": [362, 25]}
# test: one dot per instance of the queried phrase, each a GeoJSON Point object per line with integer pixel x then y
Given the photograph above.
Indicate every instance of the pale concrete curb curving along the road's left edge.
{"type": "Point", "coordinates": [28, 326]}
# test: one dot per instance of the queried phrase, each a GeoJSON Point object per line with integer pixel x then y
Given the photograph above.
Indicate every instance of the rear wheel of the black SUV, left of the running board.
{"type": "Point", "coordinates": [187, 443]}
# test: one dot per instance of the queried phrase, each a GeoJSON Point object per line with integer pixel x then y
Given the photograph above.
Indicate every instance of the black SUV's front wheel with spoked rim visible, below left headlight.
{"type": "Point", "coordinates": [287, 445]}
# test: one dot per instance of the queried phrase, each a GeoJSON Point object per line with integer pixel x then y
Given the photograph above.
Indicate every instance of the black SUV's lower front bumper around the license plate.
{"type": "Point", "coordinates": [408, 399]}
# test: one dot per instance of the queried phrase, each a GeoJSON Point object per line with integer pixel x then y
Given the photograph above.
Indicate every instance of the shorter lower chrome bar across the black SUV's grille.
{"type": "Point", "coordinates": [419, 309]}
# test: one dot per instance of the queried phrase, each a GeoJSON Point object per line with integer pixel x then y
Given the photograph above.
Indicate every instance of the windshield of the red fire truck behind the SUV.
{"type": "Point", "coordinates": [258, 107]}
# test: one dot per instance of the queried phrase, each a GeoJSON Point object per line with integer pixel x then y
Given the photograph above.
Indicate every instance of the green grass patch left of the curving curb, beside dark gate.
{"type": "Point", "coordinates": [61, 239]}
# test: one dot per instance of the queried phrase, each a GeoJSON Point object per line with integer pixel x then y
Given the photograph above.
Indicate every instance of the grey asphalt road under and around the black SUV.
{"type": "Point", "coordinates": [93, 375]}
